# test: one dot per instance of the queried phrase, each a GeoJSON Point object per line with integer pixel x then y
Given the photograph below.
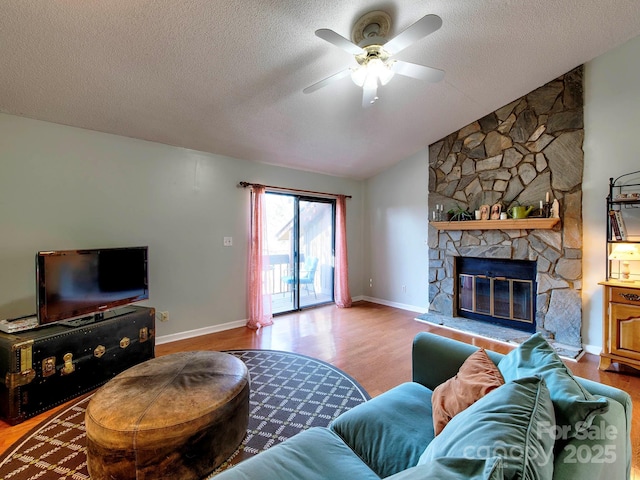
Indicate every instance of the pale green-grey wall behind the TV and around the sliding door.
{"type": "Point", "coordinates": [65, 188]}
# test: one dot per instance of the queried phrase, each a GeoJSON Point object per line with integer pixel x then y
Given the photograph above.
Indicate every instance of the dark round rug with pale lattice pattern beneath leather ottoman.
{"type": "Point", "coordinates": [289, 393]}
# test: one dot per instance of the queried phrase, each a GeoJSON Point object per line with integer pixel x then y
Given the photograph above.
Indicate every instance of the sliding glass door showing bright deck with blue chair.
{"type": "Point", "coordinates": [300, 247]}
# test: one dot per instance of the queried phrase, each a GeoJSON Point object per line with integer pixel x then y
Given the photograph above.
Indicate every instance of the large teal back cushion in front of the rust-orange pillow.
{"type": "Point", "coordinates": [507, 422]}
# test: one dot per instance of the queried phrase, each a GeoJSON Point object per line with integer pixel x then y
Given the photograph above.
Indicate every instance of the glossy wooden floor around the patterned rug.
{"type": "Point", "coordinates": [370, 342]}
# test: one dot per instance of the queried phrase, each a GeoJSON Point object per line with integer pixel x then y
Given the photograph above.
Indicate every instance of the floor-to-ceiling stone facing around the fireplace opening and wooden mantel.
{"type": "Point", "coordinates": [514, 156]}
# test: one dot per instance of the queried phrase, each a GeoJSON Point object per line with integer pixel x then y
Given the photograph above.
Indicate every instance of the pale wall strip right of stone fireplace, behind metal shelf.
{"type": "Point", "coordinates": [612, 127]}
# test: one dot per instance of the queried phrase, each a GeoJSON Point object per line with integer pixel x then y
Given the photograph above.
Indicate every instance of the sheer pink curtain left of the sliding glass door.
{"type": "Point", "coordinates": [259, 301]}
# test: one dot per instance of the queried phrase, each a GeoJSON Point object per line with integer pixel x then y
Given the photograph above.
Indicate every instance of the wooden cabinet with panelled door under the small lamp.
{"type": "Point", "coordinates": [621, 326]}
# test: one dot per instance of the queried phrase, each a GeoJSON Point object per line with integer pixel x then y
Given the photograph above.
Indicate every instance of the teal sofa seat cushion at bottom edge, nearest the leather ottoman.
{"type": "Point", "coordinates": [314, 454]}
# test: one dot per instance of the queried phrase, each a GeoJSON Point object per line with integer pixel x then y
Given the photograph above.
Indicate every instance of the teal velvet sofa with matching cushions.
{"type": "Point", "coordinates": [509, 433]}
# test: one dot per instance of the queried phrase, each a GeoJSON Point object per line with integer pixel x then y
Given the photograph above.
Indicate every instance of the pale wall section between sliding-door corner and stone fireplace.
{"type": "Point", "coordinates": [396, 234]}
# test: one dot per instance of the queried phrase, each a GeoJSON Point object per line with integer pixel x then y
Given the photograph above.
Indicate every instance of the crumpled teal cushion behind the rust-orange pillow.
{"type": "Point", "coordinates": [575, 406]}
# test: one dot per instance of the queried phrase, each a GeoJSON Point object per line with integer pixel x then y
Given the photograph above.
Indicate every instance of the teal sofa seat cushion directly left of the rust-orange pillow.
{"type": "Point", "coordinates": [390, 431]}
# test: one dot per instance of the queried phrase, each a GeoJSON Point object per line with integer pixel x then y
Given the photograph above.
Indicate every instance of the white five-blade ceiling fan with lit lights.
{"type": "Point", "coordinates": [374, 53]}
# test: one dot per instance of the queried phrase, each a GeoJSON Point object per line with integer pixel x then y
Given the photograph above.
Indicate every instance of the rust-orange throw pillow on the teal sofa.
{"type": "Point", "coordinates": [477, 376]}
